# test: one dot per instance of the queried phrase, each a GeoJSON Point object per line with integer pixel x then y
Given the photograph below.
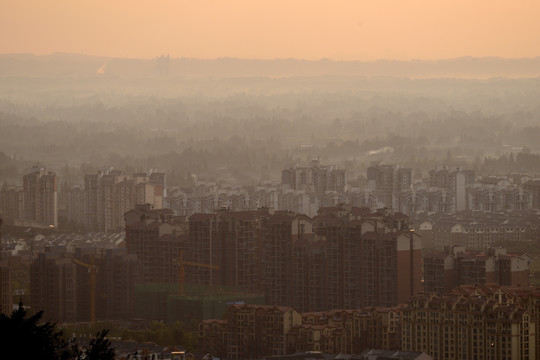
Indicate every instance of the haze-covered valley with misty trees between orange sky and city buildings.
{"type": "Point", "coordinates": [76, 114]}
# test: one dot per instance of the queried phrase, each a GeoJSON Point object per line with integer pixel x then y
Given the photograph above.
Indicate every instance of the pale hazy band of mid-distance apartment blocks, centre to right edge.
{"type": "Point", "coordinates": [305, 189]}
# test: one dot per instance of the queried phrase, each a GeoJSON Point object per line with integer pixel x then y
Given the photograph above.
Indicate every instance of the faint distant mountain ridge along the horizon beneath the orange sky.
{"type": "Point", "coordinates": [77, 65]}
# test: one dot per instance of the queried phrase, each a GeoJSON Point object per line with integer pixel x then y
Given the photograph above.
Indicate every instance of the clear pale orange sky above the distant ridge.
{"type": "Point", "coordinates": [341, 30]}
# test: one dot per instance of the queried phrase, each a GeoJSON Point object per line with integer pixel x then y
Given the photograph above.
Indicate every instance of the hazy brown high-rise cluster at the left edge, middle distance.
{"type": "Point", "coordinates": [98, 206]}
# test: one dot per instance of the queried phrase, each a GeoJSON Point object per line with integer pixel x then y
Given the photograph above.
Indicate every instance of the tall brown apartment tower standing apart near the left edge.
{"type": "Point", "coordinates": [40, 197]}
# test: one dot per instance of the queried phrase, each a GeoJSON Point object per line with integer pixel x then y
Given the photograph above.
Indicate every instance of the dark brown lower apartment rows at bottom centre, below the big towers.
{"type": "Point", "coordinates": [256, 331]}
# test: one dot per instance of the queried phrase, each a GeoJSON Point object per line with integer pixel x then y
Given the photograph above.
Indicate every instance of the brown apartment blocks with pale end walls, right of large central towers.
{"type": "Point", "coordinates": [455, 267]}
